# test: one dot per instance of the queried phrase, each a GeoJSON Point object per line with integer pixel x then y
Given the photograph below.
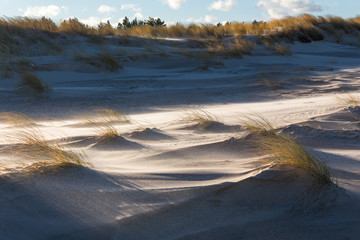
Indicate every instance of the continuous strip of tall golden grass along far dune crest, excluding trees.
{"type": "Point", "coordinates": [304, 28]}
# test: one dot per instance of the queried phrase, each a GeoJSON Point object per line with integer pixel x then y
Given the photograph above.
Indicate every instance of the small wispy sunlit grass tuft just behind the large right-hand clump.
{"type": "Point", "coordinates": [259, 125]}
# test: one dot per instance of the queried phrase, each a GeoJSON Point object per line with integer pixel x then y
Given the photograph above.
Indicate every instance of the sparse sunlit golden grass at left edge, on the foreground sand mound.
{"type": "Point", "coordinates": [30, 144]}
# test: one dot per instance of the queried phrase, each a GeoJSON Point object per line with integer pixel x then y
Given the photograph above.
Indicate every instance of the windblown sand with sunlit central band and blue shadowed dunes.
{"type": "Point", "coordinates": [169, 177]}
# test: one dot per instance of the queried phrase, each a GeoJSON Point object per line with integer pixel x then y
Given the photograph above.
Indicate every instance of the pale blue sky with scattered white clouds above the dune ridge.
{"type": "Point", "coordinates": [173, 11]}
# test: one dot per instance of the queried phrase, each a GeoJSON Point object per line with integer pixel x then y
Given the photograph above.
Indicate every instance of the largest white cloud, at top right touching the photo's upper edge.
{"type": "Point", "coordinates": [283, 8]}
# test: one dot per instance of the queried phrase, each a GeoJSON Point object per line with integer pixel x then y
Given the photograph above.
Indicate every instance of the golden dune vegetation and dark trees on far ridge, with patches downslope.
{"type": "Point", "coordinates": [304, 28]}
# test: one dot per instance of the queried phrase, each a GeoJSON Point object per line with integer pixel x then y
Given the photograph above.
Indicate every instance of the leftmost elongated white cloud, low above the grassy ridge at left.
{"type": "Point", "coordinates": [43, 11]}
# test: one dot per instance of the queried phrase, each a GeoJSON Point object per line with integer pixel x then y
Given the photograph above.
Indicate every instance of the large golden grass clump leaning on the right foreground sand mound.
{"type": "Point", "coordinates": [283, 150]}
